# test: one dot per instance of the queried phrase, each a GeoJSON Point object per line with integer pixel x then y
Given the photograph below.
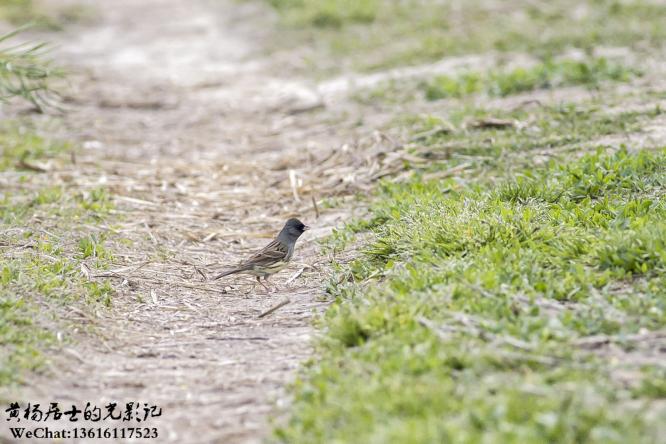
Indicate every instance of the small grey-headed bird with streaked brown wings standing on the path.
{"type": "Point", "coordinates": [274, 256]}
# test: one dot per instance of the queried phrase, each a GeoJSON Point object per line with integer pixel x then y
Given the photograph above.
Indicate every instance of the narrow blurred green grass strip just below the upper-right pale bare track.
{"type": "Point", "coordinates": [546, 75]}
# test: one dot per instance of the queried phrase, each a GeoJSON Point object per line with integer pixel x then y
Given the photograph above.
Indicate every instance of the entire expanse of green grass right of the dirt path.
{"type": "Point", "coordinates": [506, 303]}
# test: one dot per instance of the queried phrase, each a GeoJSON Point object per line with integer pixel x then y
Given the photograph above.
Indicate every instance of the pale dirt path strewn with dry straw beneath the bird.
{"type": "Point", "coordinates": [194, 130]}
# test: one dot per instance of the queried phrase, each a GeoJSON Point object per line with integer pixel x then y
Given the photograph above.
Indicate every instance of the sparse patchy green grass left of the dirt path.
{"type": "Point", "coordinates": [43, 245]}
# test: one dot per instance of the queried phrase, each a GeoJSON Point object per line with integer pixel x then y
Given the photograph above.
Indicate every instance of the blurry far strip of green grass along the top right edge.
{"type": "Point", "coordinates": [376, 34]}
